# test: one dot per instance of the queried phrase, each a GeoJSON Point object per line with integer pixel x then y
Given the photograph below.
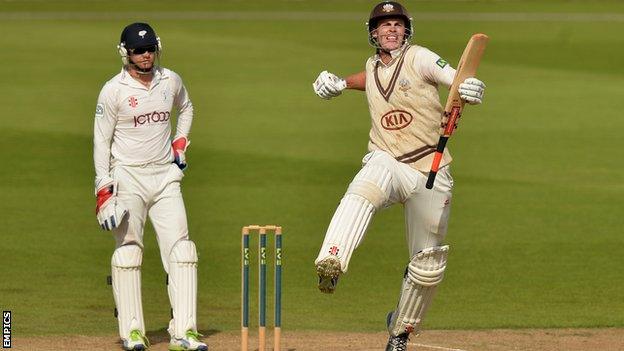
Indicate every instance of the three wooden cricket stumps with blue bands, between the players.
{"type": "Point", "coordinates": [262, 230]}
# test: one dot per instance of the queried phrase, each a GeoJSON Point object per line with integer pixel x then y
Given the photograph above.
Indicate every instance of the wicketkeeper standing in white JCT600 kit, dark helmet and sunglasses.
{"type": "Point", "coordinates": [138, 170]}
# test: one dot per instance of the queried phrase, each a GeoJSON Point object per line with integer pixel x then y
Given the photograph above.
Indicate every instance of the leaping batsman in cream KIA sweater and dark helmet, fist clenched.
{"type": "Point", "coordinates": [401, 83]}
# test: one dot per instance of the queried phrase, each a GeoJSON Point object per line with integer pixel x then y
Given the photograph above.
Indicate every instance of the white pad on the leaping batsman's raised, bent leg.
{"type": "Point", "coordinates": [368, 192]}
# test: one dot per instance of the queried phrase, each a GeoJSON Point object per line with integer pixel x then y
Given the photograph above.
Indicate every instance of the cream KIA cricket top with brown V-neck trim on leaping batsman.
{"type": "Point", "coordinates": [404, 104]}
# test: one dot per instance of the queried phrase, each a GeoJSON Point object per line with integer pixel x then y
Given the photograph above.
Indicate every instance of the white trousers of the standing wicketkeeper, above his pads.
{"type": "Point", "coordinates": [151, 190]}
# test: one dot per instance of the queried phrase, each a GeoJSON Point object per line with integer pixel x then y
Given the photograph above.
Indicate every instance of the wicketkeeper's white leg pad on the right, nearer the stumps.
{"type": "Point", "coordinates": [182, 287]}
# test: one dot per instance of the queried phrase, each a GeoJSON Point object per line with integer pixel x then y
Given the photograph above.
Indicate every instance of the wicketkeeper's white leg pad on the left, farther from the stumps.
{"type": "Point", "coordinates": [126, 276]}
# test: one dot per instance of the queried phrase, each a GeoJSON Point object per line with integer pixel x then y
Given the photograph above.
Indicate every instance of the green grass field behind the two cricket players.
{"type": "Point", "coordinates": [535, 231]}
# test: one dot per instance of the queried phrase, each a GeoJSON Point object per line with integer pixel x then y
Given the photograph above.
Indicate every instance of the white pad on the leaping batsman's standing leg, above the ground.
{"type": "Point", "coordinates": [424, 272]}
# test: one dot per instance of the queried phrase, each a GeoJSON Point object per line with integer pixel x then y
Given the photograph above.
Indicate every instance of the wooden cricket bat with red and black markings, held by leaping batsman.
{"type": "Point", "coordinates": [466, 68]}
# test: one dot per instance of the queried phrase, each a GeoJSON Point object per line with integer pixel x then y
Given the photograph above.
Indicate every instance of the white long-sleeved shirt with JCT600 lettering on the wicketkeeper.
{"type": "Point", "coordinates": [132, 122]}
